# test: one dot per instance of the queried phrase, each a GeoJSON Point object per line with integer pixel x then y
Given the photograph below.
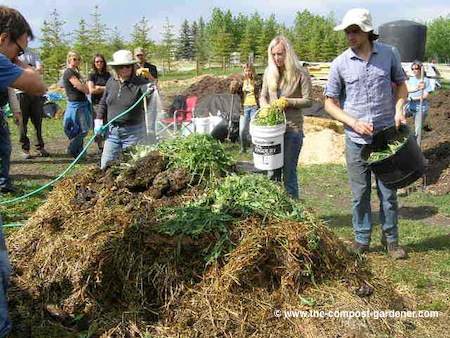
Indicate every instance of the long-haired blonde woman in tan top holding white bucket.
{"type": "Point", "coordinates": [285, 77]}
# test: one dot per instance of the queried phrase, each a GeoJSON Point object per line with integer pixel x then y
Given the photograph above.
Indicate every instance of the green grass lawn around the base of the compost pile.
{"type": "Point", "coordinates": [424, 219]}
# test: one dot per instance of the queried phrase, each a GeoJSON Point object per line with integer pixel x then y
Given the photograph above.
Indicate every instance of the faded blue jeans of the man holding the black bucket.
{"type": "Point", "coordinates": [360, 183]}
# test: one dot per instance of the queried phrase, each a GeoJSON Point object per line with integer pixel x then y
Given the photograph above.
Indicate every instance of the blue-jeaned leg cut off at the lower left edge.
{"type": "Point", "coordinates": [5, 273]}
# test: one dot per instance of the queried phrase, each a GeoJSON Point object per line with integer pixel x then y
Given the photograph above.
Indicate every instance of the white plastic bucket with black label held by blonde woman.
{"type": "Point", "coordinates": [268, 146]}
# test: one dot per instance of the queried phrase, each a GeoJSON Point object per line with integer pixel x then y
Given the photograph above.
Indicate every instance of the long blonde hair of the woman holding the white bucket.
{"type": "Point", "coordinates": [292, 68]}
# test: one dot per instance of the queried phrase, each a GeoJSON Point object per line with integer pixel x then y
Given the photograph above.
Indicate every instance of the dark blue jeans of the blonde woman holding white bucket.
{"type": "Point", "coordinates": [293, 141]}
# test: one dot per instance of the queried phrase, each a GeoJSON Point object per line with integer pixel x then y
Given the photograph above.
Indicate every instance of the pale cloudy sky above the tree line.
{"type": "Point", "coordinates": [125, 13]}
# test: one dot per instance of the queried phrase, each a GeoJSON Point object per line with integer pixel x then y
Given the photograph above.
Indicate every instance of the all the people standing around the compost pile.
{"type": "Point", "coordinates": [359, 93]}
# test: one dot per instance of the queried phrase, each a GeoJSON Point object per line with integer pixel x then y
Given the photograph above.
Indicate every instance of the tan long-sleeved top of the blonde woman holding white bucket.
{"type": "Point", "coordinates": [298, 96]}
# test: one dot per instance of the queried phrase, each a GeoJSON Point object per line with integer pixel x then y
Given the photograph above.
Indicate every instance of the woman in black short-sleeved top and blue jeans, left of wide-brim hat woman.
{"type": "Point", "coordinates": [77, 117]}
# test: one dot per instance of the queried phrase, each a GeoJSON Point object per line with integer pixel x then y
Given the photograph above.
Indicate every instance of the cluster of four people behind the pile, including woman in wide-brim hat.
{"type": "Point", "coordinates": [111, 94]}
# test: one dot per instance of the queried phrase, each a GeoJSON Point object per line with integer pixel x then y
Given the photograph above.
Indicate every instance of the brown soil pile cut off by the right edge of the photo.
{"type": "Point", "coordinates": [436, 143]}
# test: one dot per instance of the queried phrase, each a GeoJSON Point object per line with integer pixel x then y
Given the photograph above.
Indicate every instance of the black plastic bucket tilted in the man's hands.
{"type": "Point", "coordinates": [404, 167]}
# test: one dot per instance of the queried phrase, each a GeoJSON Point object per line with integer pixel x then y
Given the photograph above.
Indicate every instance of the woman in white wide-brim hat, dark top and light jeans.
{"type": "Point", "coordinates": [122, 90]}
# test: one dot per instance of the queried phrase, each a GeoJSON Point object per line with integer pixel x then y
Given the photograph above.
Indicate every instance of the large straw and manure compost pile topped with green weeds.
{"type": "Point", "coordinates": [170, 242]}
